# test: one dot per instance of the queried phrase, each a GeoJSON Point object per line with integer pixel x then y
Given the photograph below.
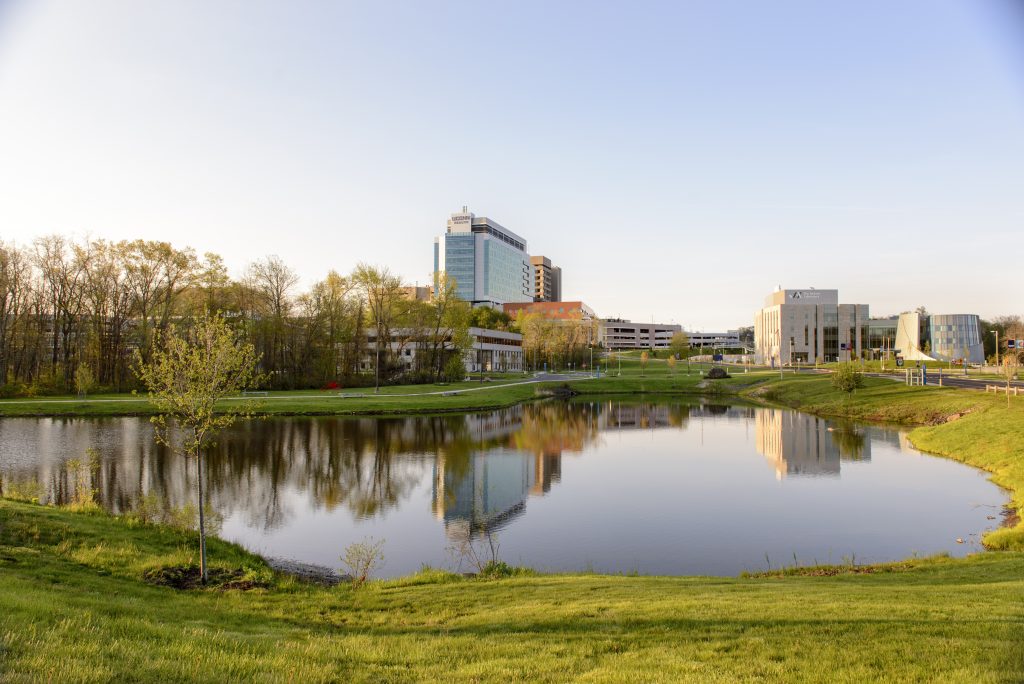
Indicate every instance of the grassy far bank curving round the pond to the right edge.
{"type": "Point", "coordinates": [960, 424]}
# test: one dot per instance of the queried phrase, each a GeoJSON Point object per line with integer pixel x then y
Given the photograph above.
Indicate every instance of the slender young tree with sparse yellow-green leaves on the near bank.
{"type": "Point", "coordinates": [186, 378]}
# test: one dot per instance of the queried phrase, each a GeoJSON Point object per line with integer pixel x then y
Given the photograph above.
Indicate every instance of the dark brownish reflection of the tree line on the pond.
{"type": "Point", "coordinates": [364, 465]}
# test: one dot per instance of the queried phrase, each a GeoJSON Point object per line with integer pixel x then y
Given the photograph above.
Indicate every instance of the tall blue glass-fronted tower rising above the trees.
{"type": "Point", "coordinates": [489, 264]}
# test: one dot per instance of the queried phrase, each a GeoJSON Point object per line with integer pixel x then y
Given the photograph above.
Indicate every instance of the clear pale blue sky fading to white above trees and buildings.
{"type": "Point", "coordinates": [678, 160]}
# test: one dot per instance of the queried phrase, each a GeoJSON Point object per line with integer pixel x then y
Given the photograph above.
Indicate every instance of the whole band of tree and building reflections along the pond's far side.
{"type": "Point", "coordinates": [484, 466]}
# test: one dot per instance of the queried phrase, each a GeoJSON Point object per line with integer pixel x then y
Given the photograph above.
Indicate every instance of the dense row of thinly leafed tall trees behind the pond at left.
{"type": "Point", "coordinates": [84, 313]}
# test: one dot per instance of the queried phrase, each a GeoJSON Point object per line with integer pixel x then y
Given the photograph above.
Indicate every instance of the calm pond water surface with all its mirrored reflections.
{"type": "Point", "coordinates": [616, 488]}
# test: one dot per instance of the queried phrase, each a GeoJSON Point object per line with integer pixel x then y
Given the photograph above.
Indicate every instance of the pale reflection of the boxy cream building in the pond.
{"type": "Point", "coordinates": [802, 445]}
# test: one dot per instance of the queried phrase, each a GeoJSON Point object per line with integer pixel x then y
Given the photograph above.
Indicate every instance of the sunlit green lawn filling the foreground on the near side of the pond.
{"type": "Point", "coordinates": [73, 608]}
